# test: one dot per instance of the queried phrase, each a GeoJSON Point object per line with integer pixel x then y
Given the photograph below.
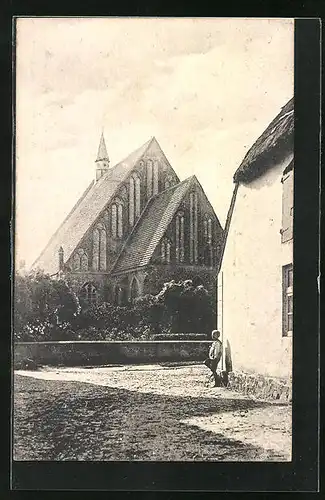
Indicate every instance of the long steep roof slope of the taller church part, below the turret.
{"type": "Point", "coordinates": [86, 211]}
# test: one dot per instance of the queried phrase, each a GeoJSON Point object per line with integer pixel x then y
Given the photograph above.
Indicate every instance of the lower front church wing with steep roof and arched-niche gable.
{"type": "Point", "coordinates": [179, 226]}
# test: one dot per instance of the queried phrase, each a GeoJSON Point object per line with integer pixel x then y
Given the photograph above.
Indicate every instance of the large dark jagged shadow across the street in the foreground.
{"type": "Point", "coordinates": [64, 420]}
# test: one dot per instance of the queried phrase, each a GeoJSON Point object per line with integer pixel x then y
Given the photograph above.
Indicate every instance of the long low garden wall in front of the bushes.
{"type": "Point", "coordinates": [74, 353]}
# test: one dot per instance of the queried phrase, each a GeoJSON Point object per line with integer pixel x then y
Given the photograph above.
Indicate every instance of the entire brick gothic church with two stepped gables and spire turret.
{"type": "Point", "coordinates": [135, 227]}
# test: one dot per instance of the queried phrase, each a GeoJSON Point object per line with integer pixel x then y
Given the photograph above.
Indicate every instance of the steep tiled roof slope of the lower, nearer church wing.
{"type": "Point", "coordinates": [152, 226]}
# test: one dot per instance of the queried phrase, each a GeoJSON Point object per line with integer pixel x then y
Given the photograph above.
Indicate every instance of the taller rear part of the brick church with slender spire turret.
{"type": "Point", "coordinates": [95, 230]}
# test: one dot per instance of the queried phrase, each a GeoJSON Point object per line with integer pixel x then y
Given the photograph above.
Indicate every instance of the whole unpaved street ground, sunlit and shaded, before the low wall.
{"type": "Point", "coordinates": [142, 413]}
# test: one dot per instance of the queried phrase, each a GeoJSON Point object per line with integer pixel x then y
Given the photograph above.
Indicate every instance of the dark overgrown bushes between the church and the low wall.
{"type": "Point", "coordinates": [48, 309]}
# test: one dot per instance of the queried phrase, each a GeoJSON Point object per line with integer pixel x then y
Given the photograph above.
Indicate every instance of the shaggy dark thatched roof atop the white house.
{"type": "Point", "coordinates": [272, 146]}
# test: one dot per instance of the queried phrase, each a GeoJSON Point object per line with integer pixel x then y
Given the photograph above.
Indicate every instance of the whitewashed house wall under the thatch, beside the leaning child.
{"type": "Point", "coordinates": [252, 279]}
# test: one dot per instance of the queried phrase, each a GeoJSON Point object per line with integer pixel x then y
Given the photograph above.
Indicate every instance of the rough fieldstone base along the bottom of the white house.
{"type": "Point", "coordinates": [261, 386]}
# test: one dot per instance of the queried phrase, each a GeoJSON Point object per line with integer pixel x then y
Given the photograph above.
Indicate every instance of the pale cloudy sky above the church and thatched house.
{"type": "Point", "coordinates": [205, 88]}
